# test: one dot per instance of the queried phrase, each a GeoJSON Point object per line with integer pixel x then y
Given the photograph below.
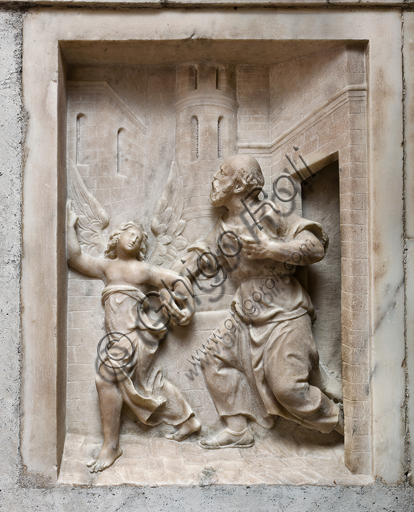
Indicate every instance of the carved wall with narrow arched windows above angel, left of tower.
{"type": "Point", "coordinates": [108, 147]}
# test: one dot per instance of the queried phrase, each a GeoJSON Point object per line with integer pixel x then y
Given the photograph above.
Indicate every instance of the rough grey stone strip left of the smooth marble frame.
{"type": "Point", "coordinates": [12, 126]}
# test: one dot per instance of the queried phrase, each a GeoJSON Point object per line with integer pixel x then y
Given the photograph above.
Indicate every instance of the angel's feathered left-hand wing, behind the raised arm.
{"type": "Point", "coordinates": [93, 219]}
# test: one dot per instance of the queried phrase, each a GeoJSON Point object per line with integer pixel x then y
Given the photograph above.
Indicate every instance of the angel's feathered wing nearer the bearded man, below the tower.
{"type": "Point", "coordinates": [167, 224]}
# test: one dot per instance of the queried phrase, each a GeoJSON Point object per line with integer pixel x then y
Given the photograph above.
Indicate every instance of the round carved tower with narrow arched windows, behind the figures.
{"type": "Point", "coordinates": [206, 131]}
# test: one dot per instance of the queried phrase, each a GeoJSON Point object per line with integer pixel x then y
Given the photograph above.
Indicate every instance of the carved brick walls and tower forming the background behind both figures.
{"type": "Point", "coordinates": [124, 127]}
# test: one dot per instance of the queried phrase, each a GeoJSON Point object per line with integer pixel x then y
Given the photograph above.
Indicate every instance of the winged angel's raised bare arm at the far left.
{"type": "Point", "coordinates": [88, 265]}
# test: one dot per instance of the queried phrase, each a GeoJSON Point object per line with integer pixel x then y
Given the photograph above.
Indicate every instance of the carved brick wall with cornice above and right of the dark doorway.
{"type": "Point", "coordinates": [317, 108]}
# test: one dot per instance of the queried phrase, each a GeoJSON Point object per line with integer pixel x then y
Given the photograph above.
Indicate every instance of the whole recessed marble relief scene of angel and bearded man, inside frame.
{"type": "Point", "coordinates": [215, 293]}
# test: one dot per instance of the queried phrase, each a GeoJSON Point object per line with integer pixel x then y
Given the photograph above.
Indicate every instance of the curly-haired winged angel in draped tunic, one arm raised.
{"type": "Point", "coordinates": [130, 372]}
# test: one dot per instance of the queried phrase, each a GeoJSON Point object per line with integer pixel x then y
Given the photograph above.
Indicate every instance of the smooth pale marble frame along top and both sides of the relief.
{"type": "Point", "coordinates": [44, 263]}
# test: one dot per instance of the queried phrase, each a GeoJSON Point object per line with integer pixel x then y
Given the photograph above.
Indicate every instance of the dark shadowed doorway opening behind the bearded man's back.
{"type": "Point", "coordinates": [320, 202]}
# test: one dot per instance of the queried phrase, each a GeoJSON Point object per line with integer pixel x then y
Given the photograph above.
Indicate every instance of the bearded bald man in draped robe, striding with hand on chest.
{"type": "Point", "coordinates": [270, 365]}
